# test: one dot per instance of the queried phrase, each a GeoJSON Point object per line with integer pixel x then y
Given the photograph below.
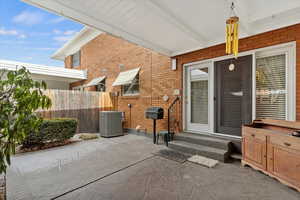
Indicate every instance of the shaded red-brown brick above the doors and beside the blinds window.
{"type": "Point", "coordinates": [275, 37]}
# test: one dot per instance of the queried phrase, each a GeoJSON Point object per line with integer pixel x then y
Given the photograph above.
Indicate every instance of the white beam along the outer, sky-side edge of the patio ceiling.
{"type": "Point", "coordinates": [58, 7]}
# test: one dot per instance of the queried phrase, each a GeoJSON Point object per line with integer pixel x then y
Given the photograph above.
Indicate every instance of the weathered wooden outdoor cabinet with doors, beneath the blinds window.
{"type": "Point", "coordinates": [268, 146]}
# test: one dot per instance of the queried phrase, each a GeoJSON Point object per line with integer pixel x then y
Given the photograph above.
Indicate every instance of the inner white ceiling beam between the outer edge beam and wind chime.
{"type": "Point", "coordinates": [171, 18]}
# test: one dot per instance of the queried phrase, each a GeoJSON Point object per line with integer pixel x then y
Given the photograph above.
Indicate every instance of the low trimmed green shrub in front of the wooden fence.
{"type": "Point", "coordinates": [52, 130]}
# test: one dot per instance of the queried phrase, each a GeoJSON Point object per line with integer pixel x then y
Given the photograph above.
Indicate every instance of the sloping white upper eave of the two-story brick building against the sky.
{"type": "Point", "coordinates": [74, 45]}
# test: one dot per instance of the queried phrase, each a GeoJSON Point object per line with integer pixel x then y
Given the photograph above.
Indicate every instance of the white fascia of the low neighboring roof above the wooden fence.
{"type": "Point", "coordinates": [45, 70]}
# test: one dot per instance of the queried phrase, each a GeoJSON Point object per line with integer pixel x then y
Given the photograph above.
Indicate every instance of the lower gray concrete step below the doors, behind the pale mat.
{"type": "Point", "coordinates": [197, 149]}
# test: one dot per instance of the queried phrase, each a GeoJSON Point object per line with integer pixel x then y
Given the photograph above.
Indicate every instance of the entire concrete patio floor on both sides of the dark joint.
{"type": "Point", "coordinates": [125, 168]}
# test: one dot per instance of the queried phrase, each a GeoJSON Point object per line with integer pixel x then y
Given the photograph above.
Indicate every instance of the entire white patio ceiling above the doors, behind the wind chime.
{"type": "Point", "coordinates": [173, 27]}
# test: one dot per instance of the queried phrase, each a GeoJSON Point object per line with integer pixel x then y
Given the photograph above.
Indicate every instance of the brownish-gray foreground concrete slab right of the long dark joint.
{"type": "Point", "coordinates": [158, 178]}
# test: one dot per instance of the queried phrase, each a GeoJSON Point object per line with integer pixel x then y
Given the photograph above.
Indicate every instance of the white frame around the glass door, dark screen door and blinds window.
{"type": "Point", "coordinates": [289, 47]}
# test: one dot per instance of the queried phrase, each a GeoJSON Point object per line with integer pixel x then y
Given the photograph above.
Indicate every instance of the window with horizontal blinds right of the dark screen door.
{"type": "Point", "coordinates": [271, 87]}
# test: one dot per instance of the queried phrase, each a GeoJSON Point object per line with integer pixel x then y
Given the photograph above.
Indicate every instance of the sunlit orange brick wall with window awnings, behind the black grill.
{"type": "Point", "coordinates": [102, 57]}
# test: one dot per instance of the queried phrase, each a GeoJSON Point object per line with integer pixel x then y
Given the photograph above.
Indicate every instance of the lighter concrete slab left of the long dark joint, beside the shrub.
{"type": "Point", "coordinates": [48, 173]}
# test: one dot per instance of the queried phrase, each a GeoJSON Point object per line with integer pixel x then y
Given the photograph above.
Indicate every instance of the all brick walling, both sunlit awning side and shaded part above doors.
{"type": "Point", "coordinates": [103, 55]}
